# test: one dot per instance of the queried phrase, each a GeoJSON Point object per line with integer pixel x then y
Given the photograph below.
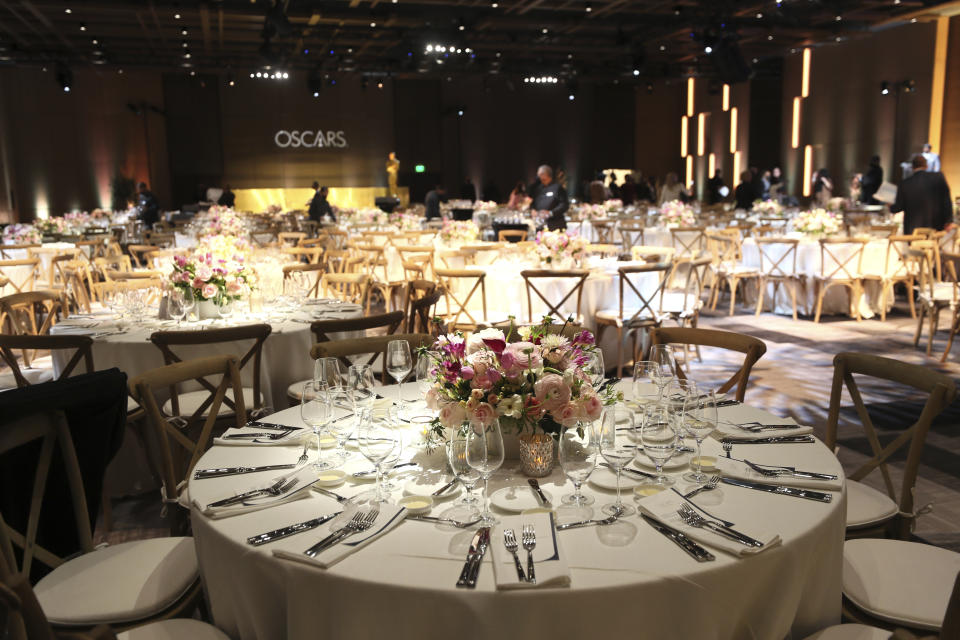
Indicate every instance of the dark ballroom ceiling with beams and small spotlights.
{"type": "Point", "coordinates": [596, 40]}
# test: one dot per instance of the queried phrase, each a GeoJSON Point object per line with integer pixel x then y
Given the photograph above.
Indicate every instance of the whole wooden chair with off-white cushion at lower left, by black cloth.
{"type": "Point", "coordinates": [112, 589]}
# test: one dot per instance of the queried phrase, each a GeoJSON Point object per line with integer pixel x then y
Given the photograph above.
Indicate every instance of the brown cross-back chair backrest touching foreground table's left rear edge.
{"type": "Point", "coordinates": [182, 444]}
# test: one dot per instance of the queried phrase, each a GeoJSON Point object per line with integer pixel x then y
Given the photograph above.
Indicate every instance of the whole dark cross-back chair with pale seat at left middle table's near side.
{"type": "Point", "coordinates": [198, 403]}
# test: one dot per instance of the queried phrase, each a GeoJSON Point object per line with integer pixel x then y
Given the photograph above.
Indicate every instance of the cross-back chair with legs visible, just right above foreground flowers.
{"type": "Point", "coordinates": [634, 318]}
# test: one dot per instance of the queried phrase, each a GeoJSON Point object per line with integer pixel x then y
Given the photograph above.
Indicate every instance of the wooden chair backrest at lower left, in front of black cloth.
{"type": "Point", "coordinates": [49, 431]}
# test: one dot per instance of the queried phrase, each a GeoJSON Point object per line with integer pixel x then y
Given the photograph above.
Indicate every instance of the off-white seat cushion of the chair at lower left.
{"type": "Point", "coordinates": [120, 583]}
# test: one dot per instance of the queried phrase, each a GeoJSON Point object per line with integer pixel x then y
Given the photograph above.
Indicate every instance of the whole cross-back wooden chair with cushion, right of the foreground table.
{"type": "Point", "coordinates": [870, 512]}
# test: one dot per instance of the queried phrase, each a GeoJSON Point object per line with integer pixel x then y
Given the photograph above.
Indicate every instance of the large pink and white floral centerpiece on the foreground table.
{"type": "Point", "coordinates": [536, 385]}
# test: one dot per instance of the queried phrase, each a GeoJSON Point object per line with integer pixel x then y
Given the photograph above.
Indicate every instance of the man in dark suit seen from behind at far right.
{"type": "Point", "coordinates": [924, 199]}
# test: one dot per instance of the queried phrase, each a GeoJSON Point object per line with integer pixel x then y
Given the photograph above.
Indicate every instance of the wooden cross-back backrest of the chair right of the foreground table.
{"type": "Point", "coordinates": [941, 391]}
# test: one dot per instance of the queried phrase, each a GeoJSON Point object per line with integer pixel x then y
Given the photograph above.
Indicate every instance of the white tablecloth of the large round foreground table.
{"type": "Point", "coordinates": [627, 580]}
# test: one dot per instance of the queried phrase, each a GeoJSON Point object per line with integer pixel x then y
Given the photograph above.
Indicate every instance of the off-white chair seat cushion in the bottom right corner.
{"type": "Point", "coordinates": [904, 583]}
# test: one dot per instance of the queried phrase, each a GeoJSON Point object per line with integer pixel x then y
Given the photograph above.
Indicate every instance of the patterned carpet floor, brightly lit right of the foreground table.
{"type": "Point", "coordinates": [793, 378]}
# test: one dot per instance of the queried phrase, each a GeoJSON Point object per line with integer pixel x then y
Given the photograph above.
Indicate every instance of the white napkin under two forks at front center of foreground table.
{"type": "Point", "coordinates": [549, 561]}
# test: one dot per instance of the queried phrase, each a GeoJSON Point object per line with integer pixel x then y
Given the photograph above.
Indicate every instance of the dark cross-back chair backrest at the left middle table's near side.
{"type": "Point", "coordinates": [258, 333]}
